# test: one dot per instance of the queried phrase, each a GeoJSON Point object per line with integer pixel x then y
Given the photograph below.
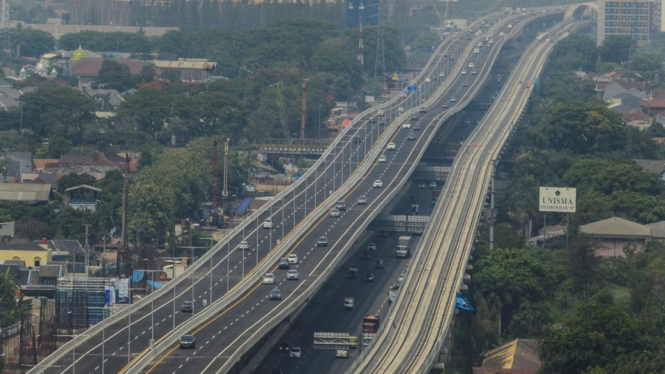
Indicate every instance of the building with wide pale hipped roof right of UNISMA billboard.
{"type": "Point", "coordinates": [615, 233]}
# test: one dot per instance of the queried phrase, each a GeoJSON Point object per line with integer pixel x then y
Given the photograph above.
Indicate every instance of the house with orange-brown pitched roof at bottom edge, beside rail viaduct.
{"type": "Point", "coordinates": [519, 356]}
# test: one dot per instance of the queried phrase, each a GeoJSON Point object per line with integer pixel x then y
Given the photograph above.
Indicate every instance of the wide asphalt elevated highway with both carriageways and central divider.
{"type": "Point", "coordinates": [239, 313]}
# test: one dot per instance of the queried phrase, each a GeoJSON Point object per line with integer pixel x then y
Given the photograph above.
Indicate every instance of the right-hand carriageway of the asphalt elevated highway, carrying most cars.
{"type": "Point", "coordinates": [234, 330]}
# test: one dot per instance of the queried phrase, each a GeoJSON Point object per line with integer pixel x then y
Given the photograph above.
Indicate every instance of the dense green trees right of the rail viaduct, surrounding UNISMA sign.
{"type": "Point", "coordinates": [593, 315]}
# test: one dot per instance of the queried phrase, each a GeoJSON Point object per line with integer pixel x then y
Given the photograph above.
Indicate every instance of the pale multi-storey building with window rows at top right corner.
{"type": "Point", "coordinates": [638, 19]}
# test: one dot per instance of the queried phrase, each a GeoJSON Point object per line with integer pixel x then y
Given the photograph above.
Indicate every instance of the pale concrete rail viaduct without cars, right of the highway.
{"type": "Point", "coordinates": [412, 337]}
